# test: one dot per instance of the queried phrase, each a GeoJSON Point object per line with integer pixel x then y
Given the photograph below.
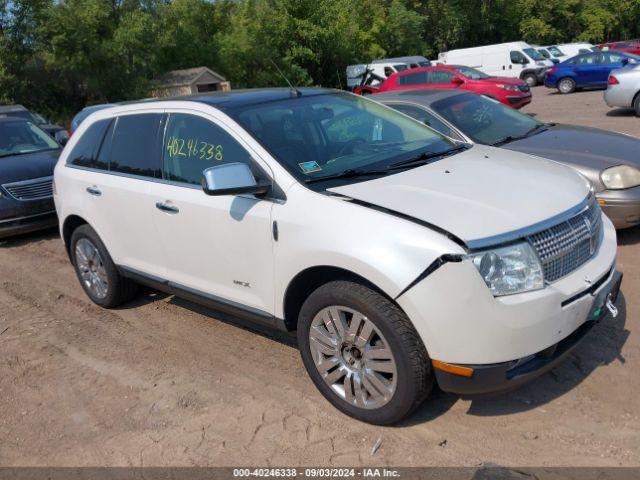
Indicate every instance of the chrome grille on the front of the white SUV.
{"type": "Point", "coordinates": [566, 246]}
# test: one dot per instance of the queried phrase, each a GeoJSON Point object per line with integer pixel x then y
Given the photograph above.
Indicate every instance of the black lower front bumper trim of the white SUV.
{"type": "Point", "coordinates": [506, 376]}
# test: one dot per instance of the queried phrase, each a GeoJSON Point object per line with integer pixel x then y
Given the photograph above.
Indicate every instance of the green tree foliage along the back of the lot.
{"type": "Point", "coordinates": [57, 56]}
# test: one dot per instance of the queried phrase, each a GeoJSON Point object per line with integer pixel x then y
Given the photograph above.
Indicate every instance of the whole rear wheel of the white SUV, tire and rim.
{"type": "Point", "coordinates": [96, 271]}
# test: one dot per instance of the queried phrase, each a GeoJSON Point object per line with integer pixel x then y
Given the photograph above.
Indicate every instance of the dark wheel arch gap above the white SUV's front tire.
{"type": "Point", "coordinates": [311, 278]}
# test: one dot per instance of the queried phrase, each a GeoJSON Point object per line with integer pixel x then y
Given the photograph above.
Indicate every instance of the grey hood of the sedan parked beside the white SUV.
{"type": "Point", "coordinates": [581, 146]}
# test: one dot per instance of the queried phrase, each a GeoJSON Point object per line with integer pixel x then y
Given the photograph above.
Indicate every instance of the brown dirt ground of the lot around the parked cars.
{"type": "Point", "coordinates": [161, 381]}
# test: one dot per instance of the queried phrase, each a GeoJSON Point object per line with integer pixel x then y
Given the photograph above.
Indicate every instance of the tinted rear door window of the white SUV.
{"type": "Point", "coordinates": [134, 145]}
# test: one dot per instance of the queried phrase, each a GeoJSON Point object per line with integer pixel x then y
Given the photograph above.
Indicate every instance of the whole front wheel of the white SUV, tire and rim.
{"type": "Point", "coordinates": [362, 353]}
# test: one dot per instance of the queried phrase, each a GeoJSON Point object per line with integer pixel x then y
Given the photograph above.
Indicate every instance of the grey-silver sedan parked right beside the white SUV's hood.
{"type": "Point", "coordinates": [609, 160]}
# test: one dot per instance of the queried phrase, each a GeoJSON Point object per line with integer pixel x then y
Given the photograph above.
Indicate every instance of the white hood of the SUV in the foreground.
{"type": "Point", "coordinates": [480, 193]}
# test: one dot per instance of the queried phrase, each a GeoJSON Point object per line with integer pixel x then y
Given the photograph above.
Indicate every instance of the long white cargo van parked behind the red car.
{"type": "Point", "coordinates": [514, 59]}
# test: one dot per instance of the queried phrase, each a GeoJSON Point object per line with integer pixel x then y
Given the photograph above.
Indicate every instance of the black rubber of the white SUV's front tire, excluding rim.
{"type": "Point", "coordinates": [415, 377]}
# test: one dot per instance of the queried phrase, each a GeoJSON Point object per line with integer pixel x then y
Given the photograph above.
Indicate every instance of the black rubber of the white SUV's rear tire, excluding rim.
{"type": "Point", "coordinates": [120, 289]}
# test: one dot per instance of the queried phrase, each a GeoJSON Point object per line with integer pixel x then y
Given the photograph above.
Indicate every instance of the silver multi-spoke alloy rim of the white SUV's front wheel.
{"type": "Point", "coordinates": [353, 357]}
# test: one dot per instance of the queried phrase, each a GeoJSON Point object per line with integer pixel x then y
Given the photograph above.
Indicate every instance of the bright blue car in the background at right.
{"type": "Point", "coordinates": [586, 70]}
